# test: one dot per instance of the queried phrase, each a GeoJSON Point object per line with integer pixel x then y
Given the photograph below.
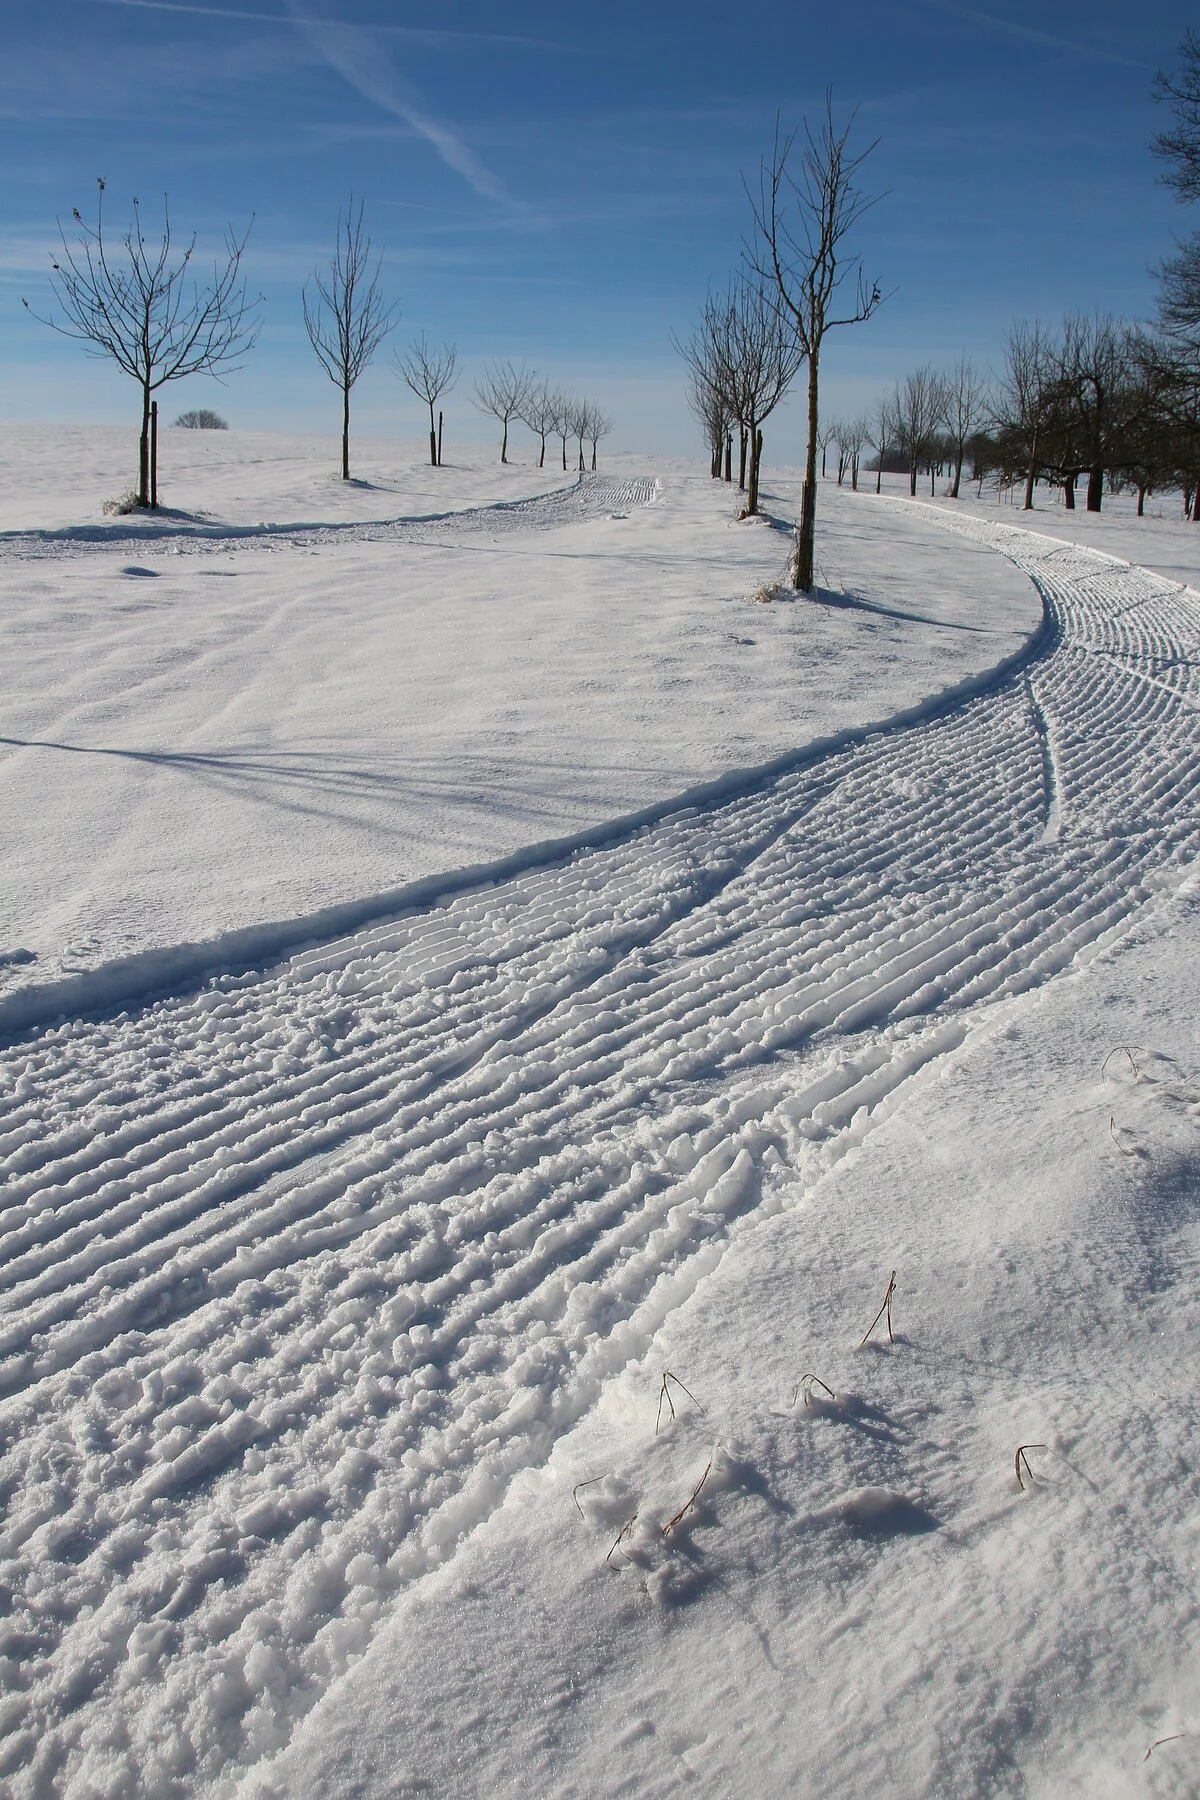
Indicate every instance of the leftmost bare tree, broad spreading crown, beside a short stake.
{"type": "Point", "coordinates": [139, 303]}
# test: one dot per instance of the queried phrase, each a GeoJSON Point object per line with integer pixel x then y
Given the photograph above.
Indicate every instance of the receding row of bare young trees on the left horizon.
{"type": "Point", "coordinates": [134, 298]}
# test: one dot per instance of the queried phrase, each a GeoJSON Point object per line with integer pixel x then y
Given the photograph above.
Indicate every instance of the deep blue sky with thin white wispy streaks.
{"type": "Point", "coordinates": [560, 184]}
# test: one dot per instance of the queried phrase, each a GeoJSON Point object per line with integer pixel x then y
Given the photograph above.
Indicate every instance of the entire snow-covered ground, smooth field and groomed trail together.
{"type": "Point", "coordinates": [433, 1363]}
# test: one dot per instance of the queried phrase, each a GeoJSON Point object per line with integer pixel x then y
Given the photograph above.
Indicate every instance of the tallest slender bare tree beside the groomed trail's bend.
{"type": "Point", "coordinates": [807, 262]}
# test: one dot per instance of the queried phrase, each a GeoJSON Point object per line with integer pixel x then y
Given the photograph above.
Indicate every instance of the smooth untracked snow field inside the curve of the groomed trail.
{"type": "Point", "coordinates": [220, 728]}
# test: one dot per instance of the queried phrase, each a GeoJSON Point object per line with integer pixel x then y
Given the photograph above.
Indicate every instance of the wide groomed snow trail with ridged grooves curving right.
{"type": "Point", "coordinates": [301, 1268]}
